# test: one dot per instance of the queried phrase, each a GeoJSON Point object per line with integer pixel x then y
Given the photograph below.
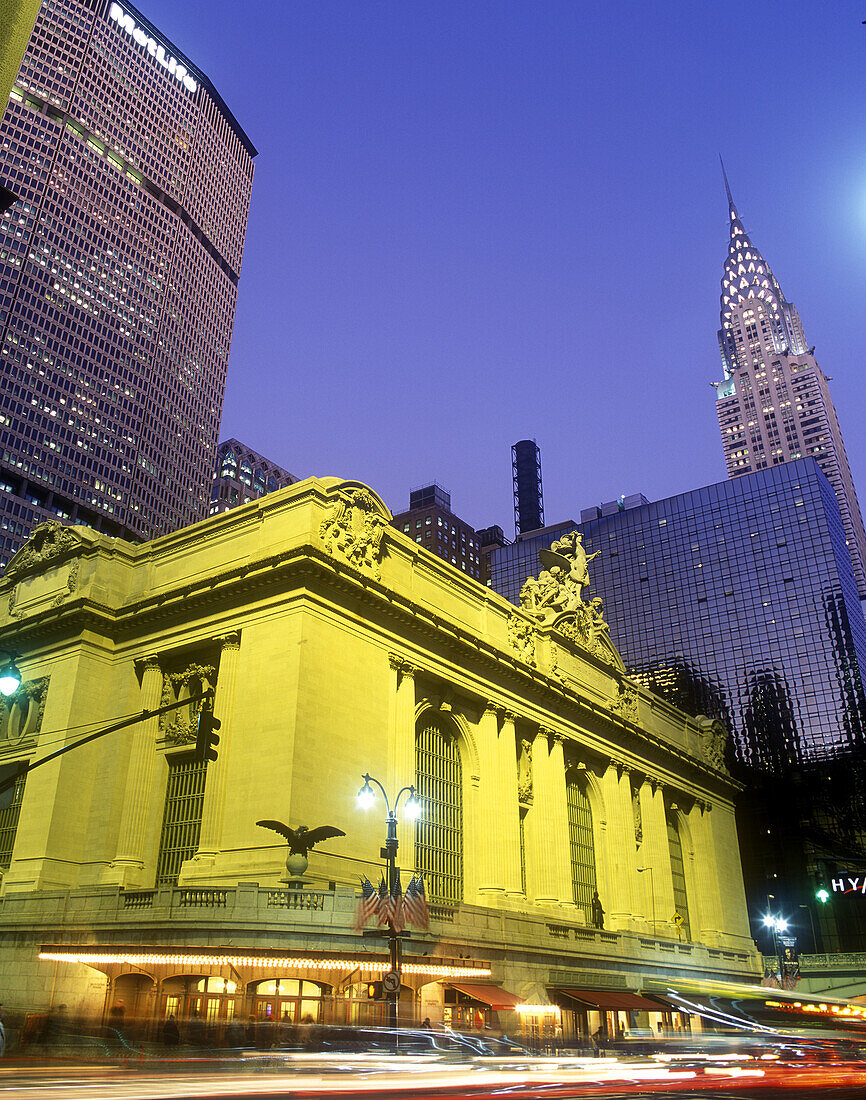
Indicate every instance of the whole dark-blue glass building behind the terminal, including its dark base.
{"type": "Point", "coordinates": [739, 601]}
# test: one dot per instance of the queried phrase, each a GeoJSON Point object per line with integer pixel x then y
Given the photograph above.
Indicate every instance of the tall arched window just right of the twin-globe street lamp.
{"type": "Point", "coordinates": [440, 833]}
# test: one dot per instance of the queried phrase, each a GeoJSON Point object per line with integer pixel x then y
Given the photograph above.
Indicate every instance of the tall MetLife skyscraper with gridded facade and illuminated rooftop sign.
{"type": "Point", "coordinates": [119, 268]}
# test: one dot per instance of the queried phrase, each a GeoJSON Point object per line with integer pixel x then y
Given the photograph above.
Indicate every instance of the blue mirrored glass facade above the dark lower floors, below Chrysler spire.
{"type": "Point", "coordinates": [737, 601]}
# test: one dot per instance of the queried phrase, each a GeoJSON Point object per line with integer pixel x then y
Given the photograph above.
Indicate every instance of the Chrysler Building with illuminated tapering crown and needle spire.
{"type": "Point", "coordinates": [774, 403]}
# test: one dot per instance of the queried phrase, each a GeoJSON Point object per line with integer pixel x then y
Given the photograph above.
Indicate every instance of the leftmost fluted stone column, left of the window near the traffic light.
{"type": "Point", "coordinates": [127, 870]}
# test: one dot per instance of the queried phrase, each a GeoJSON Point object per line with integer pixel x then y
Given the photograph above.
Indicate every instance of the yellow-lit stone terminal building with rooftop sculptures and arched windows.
{"type": "Point", "coordinates": [577, 837]}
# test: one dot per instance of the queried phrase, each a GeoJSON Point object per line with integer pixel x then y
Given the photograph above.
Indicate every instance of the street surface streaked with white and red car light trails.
{"type": "Point", "coordinates": [359, 1080]}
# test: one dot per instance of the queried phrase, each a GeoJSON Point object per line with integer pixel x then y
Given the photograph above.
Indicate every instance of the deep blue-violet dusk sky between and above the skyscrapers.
{"type": "Point", "coordinates": [476, 222]}
